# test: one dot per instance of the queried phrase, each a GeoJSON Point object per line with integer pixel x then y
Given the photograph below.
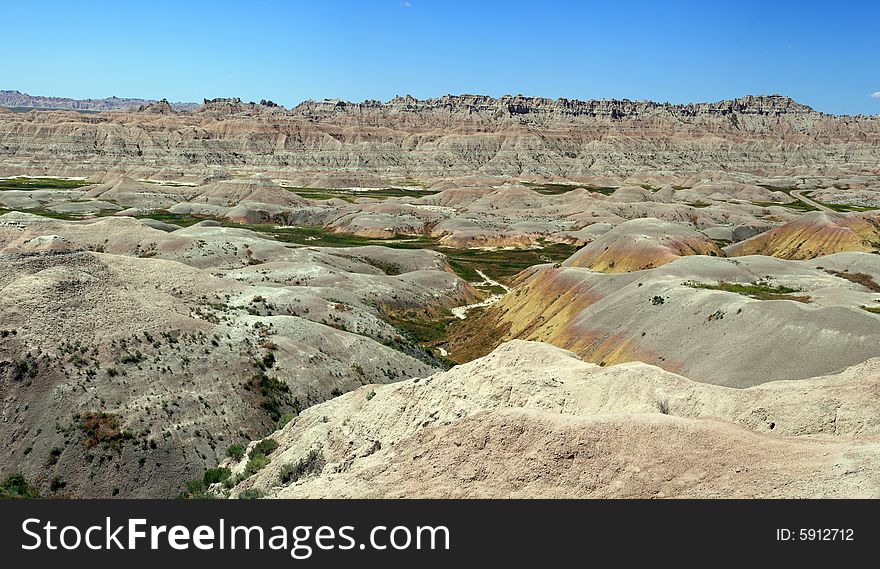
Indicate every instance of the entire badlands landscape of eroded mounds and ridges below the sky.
{"type": "Point", "coordinates": [175, 282]}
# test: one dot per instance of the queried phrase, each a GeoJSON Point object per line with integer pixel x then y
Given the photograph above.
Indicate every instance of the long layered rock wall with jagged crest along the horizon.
{"type": "Point", "coordinates": [451, 136]}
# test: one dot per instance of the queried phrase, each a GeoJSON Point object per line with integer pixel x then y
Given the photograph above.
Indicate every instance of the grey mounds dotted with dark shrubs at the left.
{"type": "Point", "coordinates": [131, 357]}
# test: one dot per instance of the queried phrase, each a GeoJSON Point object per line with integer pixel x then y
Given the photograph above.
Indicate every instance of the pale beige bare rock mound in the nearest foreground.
{"type": "Point", "coordinates": [531, 420]}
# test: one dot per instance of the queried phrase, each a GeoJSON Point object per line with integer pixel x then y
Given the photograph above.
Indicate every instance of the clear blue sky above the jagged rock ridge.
{"type": "Point", "coordinates": [824, 54]}
